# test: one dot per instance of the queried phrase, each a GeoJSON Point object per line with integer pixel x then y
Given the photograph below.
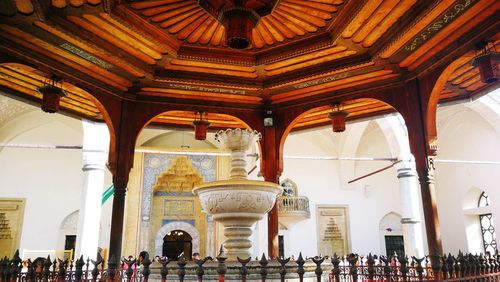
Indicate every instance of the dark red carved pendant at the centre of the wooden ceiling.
{"type": "Point", "coordinates": [239, 17]}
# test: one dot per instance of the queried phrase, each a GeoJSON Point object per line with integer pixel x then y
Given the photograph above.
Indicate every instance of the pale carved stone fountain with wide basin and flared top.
{"type": "Point", "coordinates": [237, 203]}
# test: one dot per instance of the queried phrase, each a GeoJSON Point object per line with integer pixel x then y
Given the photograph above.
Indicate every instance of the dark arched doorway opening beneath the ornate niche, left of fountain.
{"type": "Point", "coordinates": [177, 243]}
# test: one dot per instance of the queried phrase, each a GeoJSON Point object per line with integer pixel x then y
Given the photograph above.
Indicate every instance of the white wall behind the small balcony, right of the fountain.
{"type": "Point", "coordinates": [367, 199]}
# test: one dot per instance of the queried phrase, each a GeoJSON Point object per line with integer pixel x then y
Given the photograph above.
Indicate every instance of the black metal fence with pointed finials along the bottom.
{"type": "Point", "coordinates": [464, 267]}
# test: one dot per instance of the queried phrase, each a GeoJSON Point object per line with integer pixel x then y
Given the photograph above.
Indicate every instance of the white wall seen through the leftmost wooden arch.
{"type": "Point", "coordinates": [49, 179]}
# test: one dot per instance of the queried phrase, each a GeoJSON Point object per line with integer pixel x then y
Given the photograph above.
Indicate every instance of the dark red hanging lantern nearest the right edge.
{"type": "Point", "coordinates": [487, 62]}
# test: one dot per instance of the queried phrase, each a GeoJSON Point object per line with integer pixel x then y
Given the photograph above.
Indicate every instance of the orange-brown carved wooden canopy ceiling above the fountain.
{"type": "Point", "coordinates": [174, 51]}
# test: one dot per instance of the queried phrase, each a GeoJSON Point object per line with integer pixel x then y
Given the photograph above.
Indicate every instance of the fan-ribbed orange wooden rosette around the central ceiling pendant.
{"type": "Point", "coordinates": [188, 21]}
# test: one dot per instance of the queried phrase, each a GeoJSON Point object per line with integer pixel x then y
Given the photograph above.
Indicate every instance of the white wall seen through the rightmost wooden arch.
{"type": "Point", "coordinates": [464, 135]}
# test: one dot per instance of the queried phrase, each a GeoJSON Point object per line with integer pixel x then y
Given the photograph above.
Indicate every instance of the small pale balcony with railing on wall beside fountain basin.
{"type": "Point", "coordinates": [292, 209]}
